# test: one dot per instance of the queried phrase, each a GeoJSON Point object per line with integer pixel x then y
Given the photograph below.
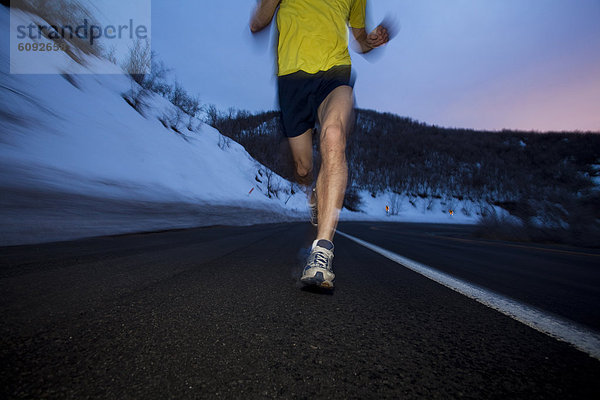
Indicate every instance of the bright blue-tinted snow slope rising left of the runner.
{"type": "Point", "coordinates": [76, 134]}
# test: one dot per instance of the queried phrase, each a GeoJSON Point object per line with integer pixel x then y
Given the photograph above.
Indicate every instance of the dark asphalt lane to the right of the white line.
{"type": "Point", "coordinates": [562, 280]}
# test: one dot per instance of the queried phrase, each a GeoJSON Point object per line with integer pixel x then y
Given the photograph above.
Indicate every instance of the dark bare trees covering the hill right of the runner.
{"type": "Point", "coordinates": [407, 156]}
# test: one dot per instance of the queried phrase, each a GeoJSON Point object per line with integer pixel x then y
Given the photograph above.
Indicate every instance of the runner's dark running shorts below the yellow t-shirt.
{"type": "Point", "coordinates": [301, 94]}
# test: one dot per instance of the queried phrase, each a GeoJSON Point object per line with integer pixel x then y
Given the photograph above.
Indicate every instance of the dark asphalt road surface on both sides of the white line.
{"type": "Point", "coordinates": [218, 312]}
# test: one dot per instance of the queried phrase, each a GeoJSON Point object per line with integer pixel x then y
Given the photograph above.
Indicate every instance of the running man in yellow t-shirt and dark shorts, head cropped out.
{"type": "Point", "coordinates": [314, 85]}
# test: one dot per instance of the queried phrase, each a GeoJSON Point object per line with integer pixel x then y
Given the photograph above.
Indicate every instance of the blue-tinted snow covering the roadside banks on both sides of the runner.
{"type": "Point", "coordinates": [77, 136]}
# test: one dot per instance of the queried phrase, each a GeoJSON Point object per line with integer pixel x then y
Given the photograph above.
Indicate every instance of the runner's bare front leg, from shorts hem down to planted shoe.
{"type": "Point", "coordinates": [335, 115]}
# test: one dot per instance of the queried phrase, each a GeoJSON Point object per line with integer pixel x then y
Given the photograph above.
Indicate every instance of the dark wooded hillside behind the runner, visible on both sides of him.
{"type": "Point", "coordinates": [544, 179]}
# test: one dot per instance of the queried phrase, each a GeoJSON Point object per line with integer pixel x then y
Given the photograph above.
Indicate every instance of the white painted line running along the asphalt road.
{"type": "Point", "coordinates": [562, 329]}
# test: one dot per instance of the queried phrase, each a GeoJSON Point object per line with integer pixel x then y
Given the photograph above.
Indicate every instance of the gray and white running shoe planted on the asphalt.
{"type": "Point", "coordinates": [318, 270]}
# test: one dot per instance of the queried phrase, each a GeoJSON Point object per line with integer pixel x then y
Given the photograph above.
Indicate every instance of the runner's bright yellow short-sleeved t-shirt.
{"type": "Point", "coordinates": [313, 34]}
